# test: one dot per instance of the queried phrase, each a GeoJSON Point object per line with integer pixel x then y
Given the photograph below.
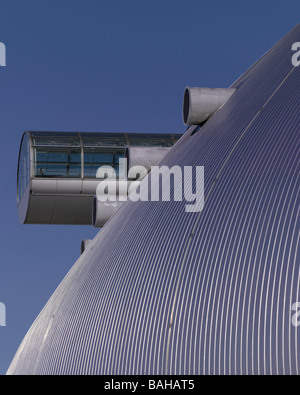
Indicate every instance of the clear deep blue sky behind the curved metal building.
{"type": "Point", "coordinates": [94, 65]}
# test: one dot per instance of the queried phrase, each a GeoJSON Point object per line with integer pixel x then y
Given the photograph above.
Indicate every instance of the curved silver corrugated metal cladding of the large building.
{"type": "Point", "coordinates": [163, 291]}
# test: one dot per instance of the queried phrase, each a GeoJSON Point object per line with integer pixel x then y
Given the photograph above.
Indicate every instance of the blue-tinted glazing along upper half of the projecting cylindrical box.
{"type": "Point", "coordinates": [64, 160]}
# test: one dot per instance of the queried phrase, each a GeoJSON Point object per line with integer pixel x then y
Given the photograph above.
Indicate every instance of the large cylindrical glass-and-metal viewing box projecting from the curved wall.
{"type": "Point", "coordinates": [57, 171]}
